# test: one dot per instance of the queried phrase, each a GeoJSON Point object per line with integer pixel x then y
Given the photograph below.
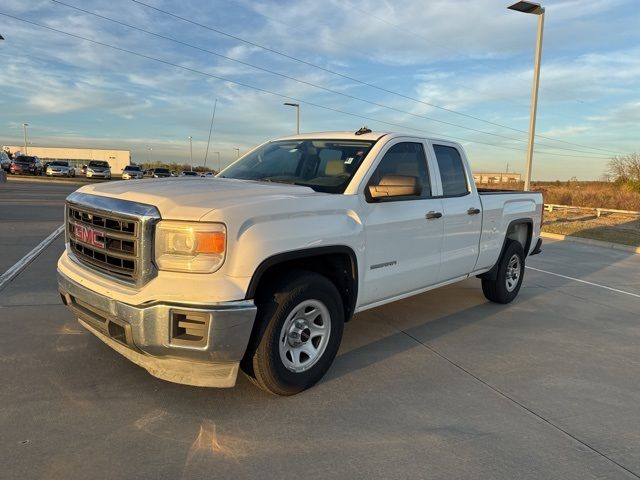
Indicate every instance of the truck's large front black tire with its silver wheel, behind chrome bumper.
{"type": "Point", "coordinates": [263, 361]}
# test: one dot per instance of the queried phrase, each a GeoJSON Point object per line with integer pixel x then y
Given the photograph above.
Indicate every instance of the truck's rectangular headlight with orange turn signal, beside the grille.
{"type": "Point", "coordinates": [190, 247]}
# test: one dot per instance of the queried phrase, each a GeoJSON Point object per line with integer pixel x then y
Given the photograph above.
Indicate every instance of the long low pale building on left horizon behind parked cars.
{"type": "Point", "coordinates": [77, 157]}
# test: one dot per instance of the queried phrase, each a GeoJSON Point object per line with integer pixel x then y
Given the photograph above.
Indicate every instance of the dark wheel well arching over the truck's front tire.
{"type": "Point", "coordinates": [338, 264]}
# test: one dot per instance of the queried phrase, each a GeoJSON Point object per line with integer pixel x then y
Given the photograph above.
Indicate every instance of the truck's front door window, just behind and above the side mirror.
{"type": "Point", "coordinates": [405, 159]}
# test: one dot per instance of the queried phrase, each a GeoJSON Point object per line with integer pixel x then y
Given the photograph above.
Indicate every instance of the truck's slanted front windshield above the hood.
{"type": "Point", "coordinates": [323, 165]}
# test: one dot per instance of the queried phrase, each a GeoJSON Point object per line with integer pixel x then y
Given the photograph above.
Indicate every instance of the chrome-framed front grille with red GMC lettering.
{"type": "Point", "coordinates": [115, 243]}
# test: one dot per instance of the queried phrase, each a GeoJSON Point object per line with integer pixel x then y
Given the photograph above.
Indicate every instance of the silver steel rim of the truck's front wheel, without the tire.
{"type": "Point", "coordinates": [304, 335]}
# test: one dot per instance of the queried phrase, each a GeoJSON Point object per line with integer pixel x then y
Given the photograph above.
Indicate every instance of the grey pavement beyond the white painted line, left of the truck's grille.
{"type": "Point", "coordinates": [29, 211]}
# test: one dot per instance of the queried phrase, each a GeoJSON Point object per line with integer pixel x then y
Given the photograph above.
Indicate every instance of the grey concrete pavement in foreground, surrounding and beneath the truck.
{"type": "Point", "coordinates": [443, 385]}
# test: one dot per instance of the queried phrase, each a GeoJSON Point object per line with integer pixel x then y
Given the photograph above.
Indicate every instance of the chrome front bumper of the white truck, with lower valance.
{"type": "Point", "coordinates": [149, 335]}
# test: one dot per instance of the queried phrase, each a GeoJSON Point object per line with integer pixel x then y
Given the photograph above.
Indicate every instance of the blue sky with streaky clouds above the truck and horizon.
{"type": "Point", "coordinates": [459, 70]}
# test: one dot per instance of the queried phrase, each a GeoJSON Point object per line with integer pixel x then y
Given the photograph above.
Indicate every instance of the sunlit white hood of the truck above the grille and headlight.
{"type": "Point", "coordinates": [193, 198]}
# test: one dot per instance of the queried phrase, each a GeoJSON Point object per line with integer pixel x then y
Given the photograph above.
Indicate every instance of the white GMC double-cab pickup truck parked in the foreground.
{"type": "Point", "coordinates": [260, 267]}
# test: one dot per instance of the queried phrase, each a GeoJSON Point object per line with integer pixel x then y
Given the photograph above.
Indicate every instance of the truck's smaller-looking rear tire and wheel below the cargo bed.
{"type": "Point", "coordinates": [505, 288]}
